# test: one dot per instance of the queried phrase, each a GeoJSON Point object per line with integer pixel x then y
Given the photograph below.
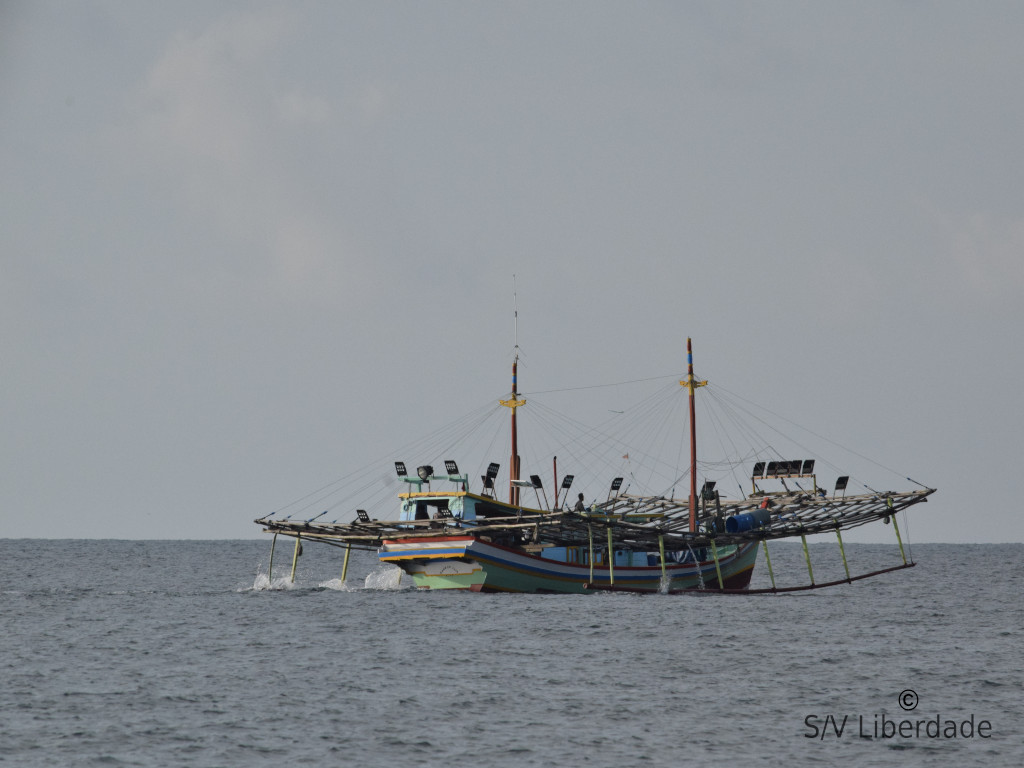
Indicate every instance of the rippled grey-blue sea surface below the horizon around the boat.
{"type": "Point", "coordinates": [185, 654]}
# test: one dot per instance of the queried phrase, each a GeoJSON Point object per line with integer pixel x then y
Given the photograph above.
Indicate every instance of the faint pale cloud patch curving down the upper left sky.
{"type": "Point", "coordinates": [212, 118]}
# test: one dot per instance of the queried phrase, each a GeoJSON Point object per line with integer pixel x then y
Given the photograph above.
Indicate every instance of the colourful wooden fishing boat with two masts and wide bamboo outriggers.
{"type": "Point", "coordinates": [703, 543]}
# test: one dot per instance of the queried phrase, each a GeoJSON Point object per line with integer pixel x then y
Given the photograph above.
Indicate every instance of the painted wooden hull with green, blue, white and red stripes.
{"type": "Point", "coordinates": [467, 563]}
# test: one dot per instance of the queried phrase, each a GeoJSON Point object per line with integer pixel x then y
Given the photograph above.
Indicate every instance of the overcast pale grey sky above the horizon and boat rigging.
{"type": "Point", "coordinates": [245, 247]}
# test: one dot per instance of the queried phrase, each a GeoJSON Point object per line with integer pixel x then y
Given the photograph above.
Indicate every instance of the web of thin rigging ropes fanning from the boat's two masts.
{"type": "Point", "coordinates": [611, 448]}
